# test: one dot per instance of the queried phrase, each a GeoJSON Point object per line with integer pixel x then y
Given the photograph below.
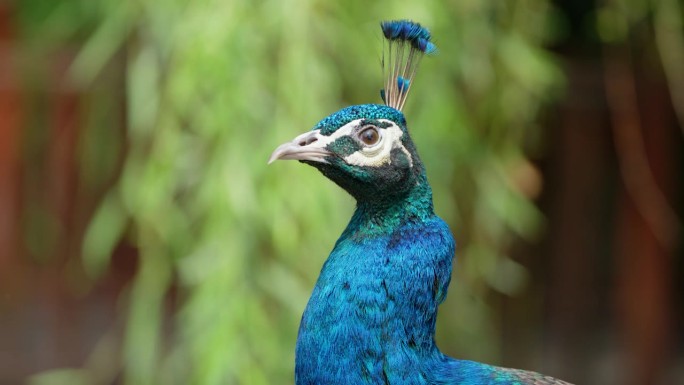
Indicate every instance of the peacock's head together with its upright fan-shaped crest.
{"type": "Point", "coordinates": [366, 149]}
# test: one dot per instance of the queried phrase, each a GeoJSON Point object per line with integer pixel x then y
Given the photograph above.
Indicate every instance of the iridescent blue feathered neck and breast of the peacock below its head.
{"type": "Point", "coordinates": [371, 317]}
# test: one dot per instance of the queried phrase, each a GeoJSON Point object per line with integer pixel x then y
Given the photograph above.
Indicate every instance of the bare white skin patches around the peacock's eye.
{"type": "Point", "coordinates": [375, 155]}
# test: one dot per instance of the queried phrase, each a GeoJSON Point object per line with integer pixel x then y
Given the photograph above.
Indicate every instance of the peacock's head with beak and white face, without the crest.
{"type": "Point", "coordinates": [365, 149]}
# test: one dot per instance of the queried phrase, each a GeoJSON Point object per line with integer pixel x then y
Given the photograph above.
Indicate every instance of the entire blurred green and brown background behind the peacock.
{"type": "Point", "coordinates": [143, 239]}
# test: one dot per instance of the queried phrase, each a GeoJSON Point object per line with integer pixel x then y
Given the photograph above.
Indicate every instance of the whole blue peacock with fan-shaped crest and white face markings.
{"type": "Point", "coordinates": [371, 316]}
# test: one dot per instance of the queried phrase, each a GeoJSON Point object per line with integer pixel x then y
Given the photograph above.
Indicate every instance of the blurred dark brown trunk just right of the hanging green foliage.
{"type": "Point", "coordinates": [581, 174]}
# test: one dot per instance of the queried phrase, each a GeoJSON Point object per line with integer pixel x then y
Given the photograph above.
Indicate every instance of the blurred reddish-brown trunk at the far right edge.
{"type": "Point", "coordinates": [646, 135]}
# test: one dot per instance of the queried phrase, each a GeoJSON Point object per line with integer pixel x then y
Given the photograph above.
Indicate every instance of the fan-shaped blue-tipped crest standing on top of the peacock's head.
{"type": "Point", "coordinates": [407, 43]}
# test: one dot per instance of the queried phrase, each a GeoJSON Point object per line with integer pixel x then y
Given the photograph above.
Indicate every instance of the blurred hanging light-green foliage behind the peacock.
{"type": "Point", "coordinates": [212, 87]}
